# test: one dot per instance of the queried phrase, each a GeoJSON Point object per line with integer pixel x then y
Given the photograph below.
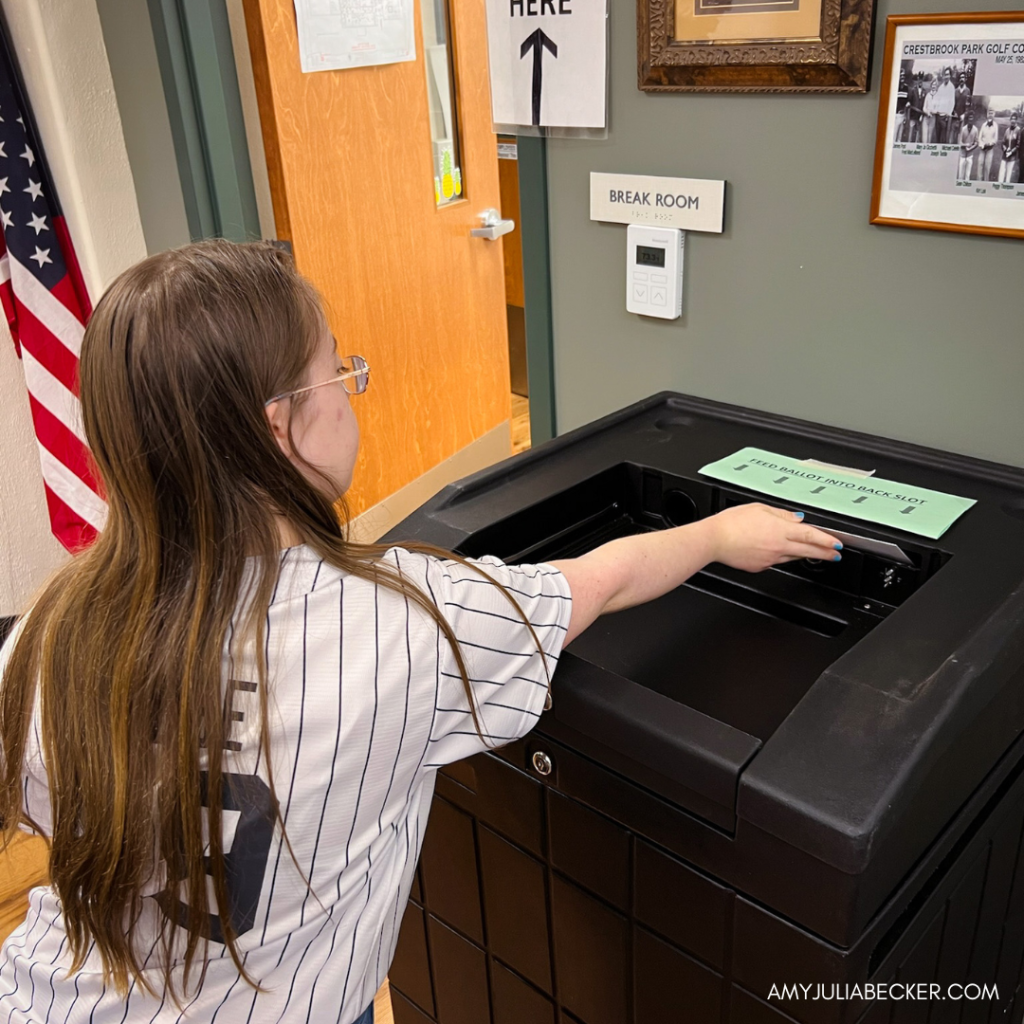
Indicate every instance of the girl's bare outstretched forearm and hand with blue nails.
{"type": "Point", "coordinates": [635, 570]}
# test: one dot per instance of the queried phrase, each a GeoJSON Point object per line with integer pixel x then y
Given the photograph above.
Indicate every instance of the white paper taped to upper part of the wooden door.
{"type": "Point", "coordinates": [337, 34]}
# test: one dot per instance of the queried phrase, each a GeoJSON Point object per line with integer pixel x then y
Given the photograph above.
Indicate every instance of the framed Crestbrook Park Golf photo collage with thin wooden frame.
{"type": "Point", "coordinates": [948, 156]}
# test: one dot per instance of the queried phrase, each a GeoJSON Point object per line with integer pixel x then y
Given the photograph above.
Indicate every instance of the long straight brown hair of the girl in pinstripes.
{"type": "Point", "coordinates": [124, 646]}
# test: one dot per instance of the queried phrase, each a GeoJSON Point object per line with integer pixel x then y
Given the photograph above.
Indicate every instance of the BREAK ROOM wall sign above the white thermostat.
{"type": "Point", "coordinates": [693, 204]}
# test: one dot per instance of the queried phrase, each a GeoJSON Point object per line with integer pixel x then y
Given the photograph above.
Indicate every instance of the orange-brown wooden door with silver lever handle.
{"type": "Point", "coordinates": [351, 162]}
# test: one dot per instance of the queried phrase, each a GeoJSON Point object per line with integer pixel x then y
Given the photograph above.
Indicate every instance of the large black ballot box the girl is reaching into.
{"type": "Point", "coordinates": [792, 796]}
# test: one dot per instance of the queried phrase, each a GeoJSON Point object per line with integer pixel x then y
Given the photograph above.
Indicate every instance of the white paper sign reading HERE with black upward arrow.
{"type": "Point", "coordinates": [548, 61]}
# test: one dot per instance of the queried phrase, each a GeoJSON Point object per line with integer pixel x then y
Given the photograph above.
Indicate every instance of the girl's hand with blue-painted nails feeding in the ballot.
{"type": "Point", "coordinates": [754, 537]}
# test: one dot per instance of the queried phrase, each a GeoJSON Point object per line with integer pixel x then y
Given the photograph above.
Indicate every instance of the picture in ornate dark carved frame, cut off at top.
{"type": "Point", "coordinates": [754, 46]}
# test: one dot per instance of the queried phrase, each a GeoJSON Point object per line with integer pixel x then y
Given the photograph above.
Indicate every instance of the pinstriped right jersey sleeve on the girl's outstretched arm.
{"type": "Point", "coordinates": [507, 673]}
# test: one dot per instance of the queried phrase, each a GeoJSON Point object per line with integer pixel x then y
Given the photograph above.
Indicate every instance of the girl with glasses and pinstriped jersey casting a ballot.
{"type": "Point", "coordinates": [228, 718]}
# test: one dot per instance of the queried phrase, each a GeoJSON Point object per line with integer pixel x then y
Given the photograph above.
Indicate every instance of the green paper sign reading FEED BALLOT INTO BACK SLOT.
{"type": "Point", "coordinates": [916, 510]}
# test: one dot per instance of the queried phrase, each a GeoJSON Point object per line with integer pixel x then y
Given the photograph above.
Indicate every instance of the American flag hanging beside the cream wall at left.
{"type": "Point", "coordinates": [48, 306]}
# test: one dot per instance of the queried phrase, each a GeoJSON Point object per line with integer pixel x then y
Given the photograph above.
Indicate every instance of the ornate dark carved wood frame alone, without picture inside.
{"type": "Point", "coordinates": [838, 62]}
